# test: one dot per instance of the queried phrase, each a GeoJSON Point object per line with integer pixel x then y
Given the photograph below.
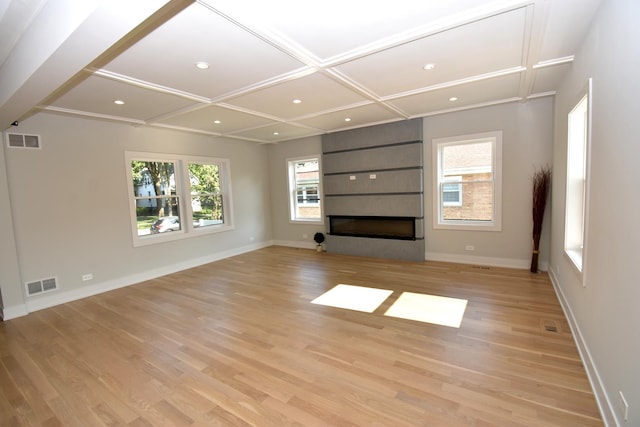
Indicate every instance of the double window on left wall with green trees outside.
{"type": "Point", "coordinates": [173, 197]}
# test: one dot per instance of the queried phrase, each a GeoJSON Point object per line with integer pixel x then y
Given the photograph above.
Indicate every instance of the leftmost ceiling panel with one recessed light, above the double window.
{"type": "Point", "coordinates": [96, 95]}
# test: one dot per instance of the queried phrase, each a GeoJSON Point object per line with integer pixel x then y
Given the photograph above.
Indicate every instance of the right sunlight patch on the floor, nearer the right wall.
{"type": "Point", "coordinates": [429, 308]}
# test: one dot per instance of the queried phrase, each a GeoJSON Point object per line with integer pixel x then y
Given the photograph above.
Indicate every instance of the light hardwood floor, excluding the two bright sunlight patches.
{"type": "Point", "coordinates": [237, 342]}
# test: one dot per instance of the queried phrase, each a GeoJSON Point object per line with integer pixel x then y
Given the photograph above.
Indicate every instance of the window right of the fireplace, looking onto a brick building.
{"type": "Point", "coordinates": [467, 182]}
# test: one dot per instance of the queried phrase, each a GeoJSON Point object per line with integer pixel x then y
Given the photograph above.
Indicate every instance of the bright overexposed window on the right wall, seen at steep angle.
{"type": "Point", "coordinates": [577, 180]}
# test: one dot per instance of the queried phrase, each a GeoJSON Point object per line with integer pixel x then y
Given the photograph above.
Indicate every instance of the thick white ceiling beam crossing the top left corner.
{"type": "Point", "coordinates": [66, 37]}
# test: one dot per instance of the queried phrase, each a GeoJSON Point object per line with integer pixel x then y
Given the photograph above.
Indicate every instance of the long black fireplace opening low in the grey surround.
{"type": "Point", "coordinates": [382, 227]}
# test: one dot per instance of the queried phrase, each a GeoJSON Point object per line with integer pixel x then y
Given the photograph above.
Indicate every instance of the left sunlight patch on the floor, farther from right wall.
{"type": "Point", "coordinates": [359, 298]}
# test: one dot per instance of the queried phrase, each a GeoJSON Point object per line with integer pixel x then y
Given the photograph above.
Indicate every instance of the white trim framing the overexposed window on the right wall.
{"type": "Point", "coordinates": [577, 252]}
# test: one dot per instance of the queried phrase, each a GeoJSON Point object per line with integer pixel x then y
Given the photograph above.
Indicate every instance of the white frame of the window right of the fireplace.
{"type": "Point", "coordinates": [437, 145]}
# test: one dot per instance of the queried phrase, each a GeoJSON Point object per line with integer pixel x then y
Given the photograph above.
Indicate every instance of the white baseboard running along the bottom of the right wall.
{"type": "Point", "coordinates": [604, 404]}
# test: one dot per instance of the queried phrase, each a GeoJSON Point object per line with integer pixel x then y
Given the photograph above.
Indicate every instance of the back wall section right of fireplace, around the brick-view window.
{"type": "Point", "coordinates": [527, 135]}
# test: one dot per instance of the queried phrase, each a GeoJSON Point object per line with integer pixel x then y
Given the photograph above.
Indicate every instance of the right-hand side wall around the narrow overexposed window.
{"type": "Point", "coordinates": [605, 311]}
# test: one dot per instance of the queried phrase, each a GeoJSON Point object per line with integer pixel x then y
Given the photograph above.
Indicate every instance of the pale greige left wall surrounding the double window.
{"type": "Point", "coordinates": [71, 212]}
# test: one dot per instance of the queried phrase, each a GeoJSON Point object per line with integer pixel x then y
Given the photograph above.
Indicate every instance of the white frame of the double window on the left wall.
{"type": "Point", "coordinates": [183, 192]}
